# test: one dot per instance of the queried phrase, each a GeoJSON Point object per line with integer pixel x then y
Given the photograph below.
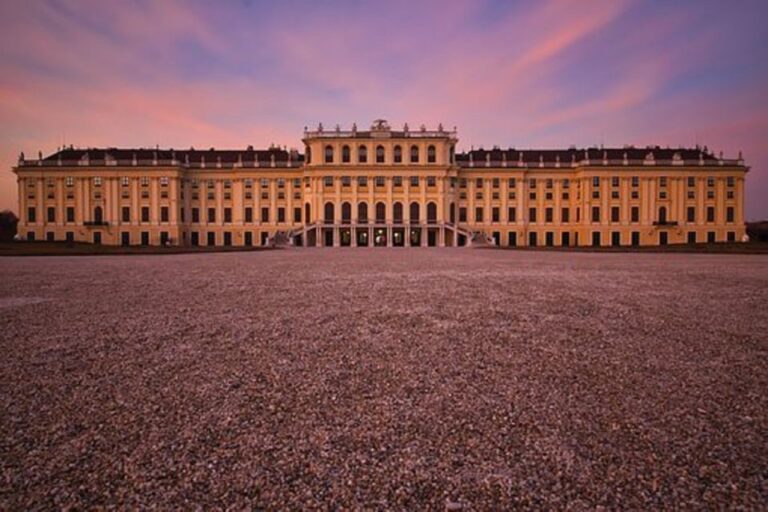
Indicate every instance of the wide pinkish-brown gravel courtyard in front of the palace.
{"type": "Point", "coordinates": [384, 379]}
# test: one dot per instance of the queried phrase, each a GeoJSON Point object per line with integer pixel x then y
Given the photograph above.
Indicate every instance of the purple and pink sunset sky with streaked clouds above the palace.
{"type": "Point", "coordinates": [522, 74]}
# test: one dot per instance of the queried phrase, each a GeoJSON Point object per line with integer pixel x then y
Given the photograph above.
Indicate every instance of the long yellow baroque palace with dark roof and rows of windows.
{"type": "Point", "coordinates": [383, 187]}
